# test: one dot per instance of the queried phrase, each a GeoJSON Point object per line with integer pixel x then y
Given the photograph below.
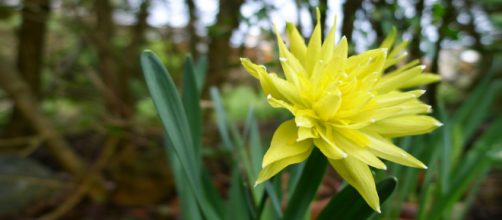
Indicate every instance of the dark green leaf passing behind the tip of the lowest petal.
{"type": "Point", "coordinates": [348, 204]}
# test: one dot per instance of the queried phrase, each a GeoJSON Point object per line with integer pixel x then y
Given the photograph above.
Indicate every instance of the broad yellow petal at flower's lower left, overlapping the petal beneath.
{"type": "Point", "coordinates": [284, 144]}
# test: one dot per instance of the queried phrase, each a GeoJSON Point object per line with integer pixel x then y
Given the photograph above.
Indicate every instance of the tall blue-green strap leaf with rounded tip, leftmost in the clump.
{"type": "Point", "coordinates": [173, 117]}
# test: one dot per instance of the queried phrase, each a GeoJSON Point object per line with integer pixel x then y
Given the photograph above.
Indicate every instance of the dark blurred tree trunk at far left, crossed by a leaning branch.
{"type": "Point", "coordinates": [30, 47]}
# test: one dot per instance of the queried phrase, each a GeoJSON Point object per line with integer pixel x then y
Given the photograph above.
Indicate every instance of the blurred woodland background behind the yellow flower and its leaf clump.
{"type": "Point", "coordinates": [80, 137]}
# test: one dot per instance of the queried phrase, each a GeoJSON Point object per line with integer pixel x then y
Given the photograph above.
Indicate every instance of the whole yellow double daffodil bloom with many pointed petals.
{"type": "Point", "coordinates": [349, 107]}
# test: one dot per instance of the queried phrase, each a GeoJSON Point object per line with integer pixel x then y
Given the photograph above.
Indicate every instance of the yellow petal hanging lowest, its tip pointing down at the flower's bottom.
{"type": "Point", "coordinates": [358, 174]}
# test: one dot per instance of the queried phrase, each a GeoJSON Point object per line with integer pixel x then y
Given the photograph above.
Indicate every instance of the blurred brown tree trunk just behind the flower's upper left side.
{"type": "Point", "coordinates": [219, 47]}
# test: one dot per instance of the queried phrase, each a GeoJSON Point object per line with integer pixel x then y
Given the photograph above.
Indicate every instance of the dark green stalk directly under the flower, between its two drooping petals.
{"type": "Point", "coordinates": [307, 186]}
